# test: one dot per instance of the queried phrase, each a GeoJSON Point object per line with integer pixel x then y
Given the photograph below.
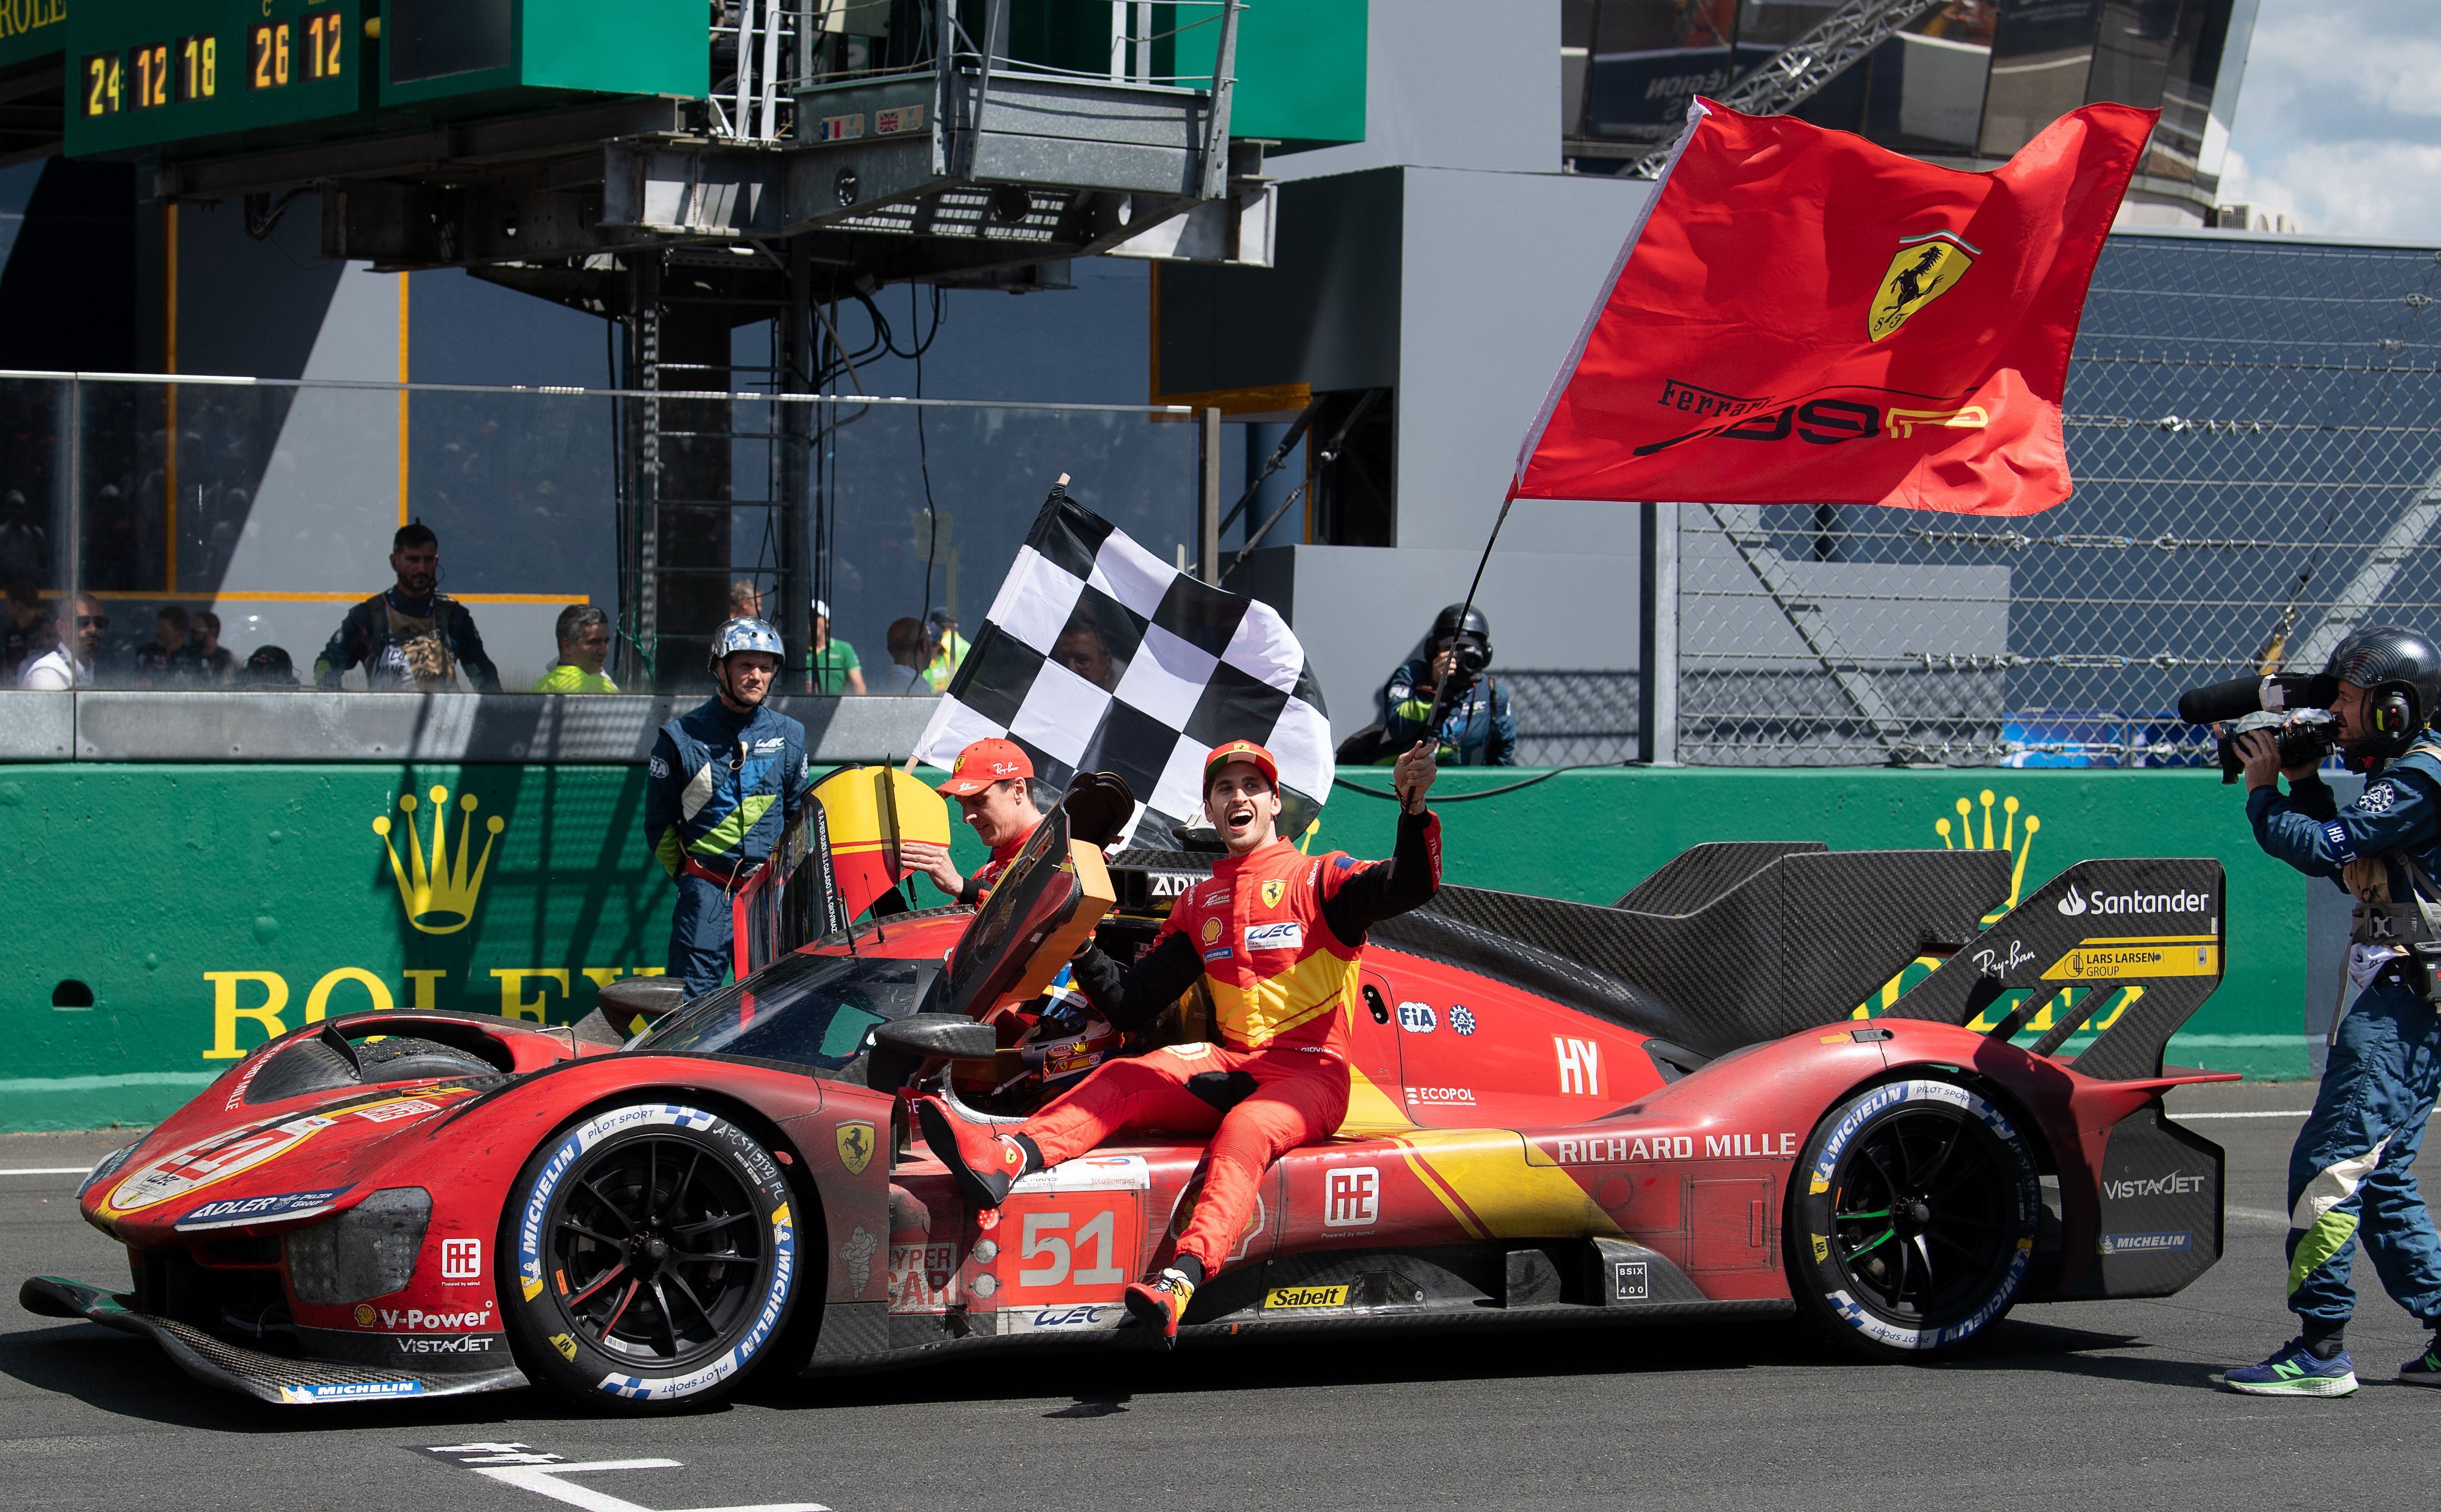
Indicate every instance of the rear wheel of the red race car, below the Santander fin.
{"type": "Point", "coordinates": [1913, 1218]}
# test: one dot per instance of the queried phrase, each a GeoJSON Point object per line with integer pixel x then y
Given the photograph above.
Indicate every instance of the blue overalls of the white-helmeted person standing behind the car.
{"type": "Point", "coordinates": [719, 795]}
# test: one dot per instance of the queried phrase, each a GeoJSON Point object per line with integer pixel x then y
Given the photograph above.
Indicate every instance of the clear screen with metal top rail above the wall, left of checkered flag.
{"type": "Point", "coordinates": [138, 504]}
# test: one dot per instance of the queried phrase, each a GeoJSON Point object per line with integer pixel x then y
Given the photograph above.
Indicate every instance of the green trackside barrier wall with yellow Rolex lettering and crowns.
{"type": "Point", "coordinates": [209, 907]}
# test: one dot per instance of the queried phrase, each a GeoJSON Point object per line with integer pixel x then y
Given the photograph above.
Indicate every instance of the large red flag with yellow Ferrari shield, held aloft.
{"type": "Point", "coordinates": [1810, 319]}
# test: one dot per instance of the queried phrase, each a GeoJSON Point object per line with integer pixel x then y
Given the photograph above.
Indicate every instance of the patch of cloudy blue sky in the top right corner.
{"type": "Point", "coordinates": [2340, 121]}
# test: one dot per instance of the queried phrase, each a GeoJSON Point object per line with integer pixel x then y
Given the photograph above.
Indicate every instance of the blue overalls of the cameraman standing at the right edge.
{"type": "Point", "coordinates": [2352, 1176]}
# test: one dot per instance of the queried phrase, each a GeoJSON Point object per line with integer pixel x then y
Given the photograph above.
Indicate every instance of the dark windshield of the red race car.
{"type": "Point", "coordinates": [807, 1010]}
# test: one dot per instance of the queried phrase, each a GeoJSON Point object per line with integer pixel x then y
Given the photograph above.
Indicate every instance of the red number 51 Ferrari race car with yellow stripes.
{"type": "Point", "coordinates": [1561, 1113]}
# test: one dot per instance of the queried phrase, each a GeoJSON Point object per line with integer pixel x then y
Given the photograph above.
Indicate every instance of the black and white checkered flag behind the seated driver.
{"type": "Point", "coordinates": [1102, 658]}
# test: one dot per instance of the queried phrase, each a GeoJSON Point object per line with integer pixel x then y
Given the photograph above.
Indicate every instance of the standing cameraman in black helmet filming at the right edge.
{"type": "Point", "coordinates": [2352, 1169]}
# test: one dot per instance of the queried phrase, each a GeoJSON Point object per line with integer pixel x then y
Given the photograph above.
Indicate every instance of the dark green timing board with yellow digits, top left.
{"type": "Point", "coordinates": [155, 72]}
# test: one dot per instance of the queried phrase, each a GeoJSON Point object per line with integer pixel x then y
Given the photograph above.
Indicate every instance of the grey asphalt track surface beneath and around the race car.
{"type": "Point", "coordinates": [2064, 1406]}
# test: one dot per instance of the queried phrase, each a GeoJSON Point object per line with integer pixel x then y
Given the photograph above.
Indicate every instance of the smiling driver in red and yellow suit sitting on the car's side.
{"type": "Point", "coordinates": [1278, 937]}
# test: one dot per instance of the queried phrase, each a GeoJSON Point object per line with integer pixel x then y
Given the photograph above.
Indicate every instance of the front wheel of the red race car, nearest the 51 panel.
{"type": "Point", "coordinates": [648, 1257]}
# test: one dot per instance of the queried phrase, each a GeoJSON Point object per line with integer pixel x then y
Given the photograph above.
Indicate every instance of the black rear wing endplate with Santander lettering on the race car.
{"type": "Point", "coordinates": [2118, 947]}
